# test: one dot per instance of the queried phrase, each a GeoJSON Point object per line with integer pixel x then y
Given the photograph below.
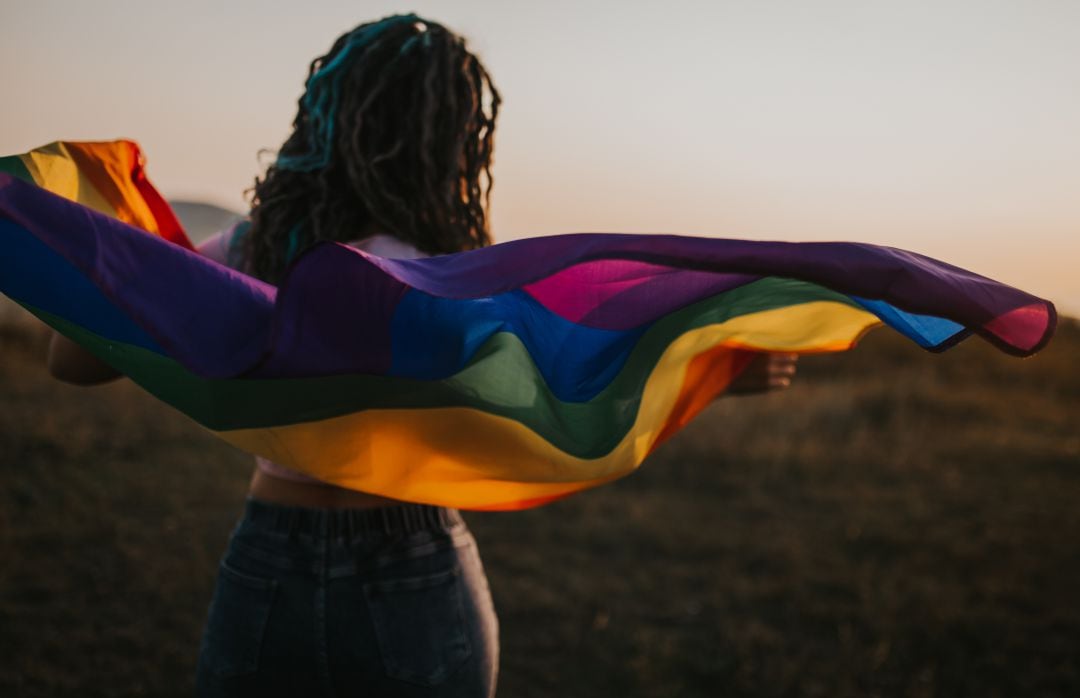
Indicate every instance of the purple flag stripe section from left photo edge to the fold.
{"type": "Point", "coordinates": [213, 320]}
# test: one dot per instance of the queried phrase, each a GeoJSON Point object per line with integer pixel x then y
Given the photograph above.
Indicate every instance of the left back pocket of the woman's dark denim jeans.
{"type": "Point", "coordinates": [238, 619]}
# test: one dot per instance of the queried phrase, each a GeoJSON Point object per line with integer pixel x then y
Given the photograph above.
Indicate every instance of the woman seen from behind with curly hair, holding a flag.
{"type": "Point", "coordinates": [325, 589]}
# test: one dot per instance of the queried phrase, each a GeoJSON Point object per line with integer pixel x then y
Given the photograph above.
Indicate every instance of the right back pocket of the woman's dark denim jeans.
{"type": "Point", "coordinates": [421, 626]}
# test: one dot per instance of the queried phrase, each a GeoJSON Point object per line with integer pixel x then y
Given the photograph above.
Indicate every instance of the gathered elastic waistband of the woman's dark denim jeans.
{"type": "Point", "coordinates": [350, 523]}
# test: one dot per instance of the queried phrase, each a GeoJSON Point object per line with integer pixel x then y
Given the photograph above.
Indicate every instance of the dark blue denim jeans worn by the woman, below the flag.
{"type": "Point", "coordinates": [356, 602]}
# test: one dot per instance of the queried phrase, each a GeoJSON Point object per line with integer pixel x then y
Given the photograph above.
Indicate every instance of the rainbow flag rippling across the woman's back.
{"type": "Point", "coordinates": [498, 379]}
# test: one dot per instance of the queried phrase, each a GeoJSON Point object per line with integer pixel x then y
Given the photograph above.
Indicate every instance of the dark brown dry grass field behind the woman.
{"type": "Point", "coordinates": [896, 525]}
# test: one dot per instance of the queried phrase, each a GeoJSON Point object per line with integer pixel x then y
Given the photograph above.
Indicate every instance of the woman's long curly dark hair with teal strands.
{"type": "Point", "coordinates": [395, 135]}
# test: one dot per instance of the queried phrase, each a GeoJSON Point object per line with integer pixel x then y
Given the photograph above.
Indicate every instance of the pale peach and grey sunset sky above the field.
{"type": "Point", "coordinates": [947, 128]}
